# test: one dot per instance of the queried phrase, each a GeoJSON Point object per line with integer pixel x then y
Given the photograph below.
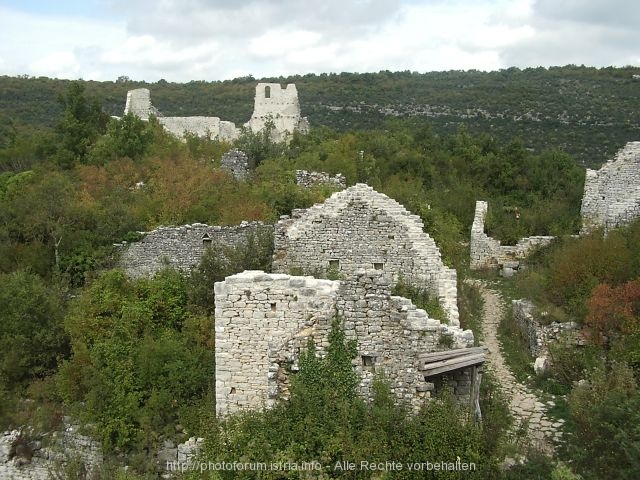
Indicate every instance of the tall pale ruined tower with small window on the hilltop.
{"type": "Point", "coordinates": [280, 105]}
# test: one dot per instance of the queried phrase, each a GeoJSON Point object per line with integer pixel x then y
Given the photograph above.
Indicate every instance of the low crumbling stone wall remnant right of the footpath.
{"type": "Point", "coordinates": [538, 336]}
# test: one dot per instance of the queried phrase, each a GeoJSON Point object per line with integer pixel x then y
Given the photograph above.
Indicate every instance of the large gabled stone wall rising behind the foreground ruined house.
{"type": "Point", "coordinates": [359, 228]}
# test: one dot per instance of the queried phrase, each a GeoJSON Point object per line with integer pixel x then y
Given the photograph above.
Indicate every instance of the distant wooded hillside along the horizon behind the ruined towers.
{"type": "Point", "coordinates": [588, 112]}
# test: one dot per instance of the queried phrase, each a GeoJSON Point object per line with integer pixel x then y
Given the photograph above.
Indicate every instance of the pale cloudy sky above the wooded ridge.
{"type": "Point", "coordinates": [183, 40]}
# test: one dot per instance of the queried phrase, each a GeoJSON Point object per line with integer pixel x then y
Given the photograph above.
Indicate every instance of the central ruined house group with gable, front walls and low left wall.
{"type": "Point", "coordinates": [263, 320]}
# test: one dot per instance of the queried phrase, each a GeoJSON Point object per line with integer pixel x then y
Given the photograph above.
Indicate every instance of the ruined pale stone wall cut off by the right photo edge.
{"type": "Point", "coordinates": [612, 194]}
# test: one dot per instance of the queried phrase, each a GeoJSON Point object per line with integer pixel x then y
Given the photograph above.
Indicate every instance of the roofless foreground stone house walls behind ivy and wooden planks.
{"type": "Point", "coordinates": [263, 321]}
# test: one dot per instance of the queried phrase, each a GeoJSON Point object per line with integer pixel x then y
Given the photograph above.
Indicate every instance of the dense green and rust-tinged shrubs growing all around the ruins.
{"type": "Point", "coordinates": [134, 358]}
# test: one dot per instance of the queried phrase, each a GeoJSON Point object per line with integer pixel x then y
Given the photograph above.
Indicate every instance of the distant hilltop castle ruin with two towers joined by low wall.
{"type": "Point", "coordinates": [271, 103]}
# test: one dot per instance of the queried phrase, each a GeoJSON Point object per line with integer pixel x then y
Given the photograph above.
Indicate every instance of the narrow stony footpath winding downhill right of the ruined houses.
{"type": "Point", "coordinates": [523, 403]}
